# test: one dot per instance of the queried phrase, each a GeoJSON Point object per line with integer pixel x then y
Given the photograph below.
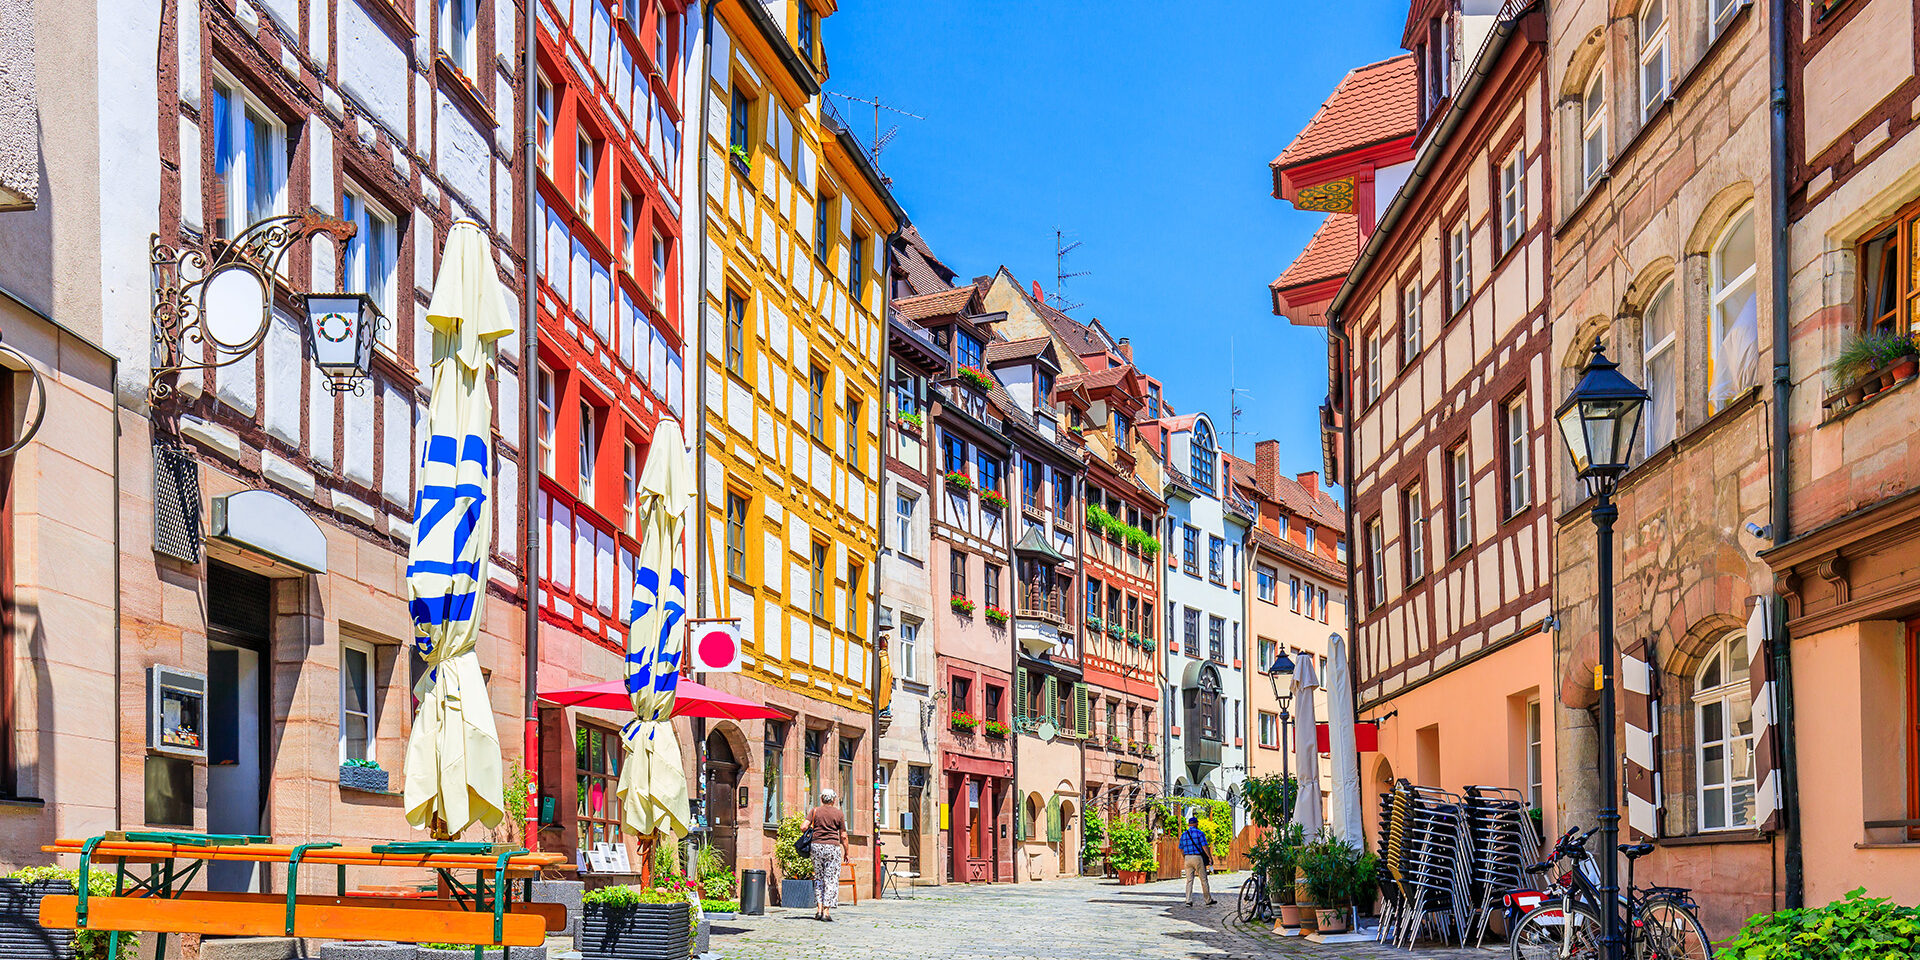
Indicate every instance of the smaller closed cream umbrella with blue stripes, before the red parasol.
{"type": "Point", "coordinates": [654, 786]}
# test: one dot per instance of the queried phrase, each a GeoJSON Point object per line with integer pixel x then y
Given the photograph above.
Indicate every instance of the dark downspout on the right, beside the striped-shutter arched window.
{"type": "Point", "coordinates": [1783, 654]}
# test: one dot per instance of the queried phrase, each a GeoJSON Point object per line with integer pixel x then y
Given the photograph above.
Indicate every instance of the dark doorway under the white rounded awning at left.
{"type": "Point", "coordinates": [239, 623]}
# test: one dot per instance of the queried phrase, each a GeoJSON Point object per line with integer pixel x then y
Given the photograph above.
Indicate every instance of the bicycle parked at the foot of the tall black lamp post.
{"type": "Point", "coordinates": [1662, 923]}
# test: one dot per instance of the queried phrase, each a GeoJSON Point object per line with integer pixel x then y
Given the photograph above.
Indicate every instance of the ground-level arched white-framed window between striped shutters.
{"type": "Point", "coordinates": [1723, 736]}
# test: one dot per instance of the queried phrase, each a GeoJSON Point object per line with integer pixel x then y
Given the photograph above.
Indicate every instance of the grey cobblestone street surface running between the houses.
{"type": "Point", "coordinates": [1057, 921]}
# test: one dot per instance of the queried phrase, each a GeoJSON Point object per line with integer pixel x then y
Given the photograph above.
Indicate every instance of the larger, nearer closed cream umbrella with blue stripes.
{"type": "Point", "coordinates": [454, 767]}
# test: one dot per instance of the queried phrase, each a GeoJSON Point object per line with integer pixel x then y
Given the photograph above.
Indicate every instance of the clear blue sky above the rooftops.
{"type": "Point", "coordinates": [1141, 130]}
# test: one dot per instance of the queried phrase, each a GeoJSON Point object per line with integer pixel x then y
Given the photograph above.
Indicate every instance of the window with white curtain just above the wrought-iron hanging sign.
{"type": "Point", "coordinates": [249, 162]}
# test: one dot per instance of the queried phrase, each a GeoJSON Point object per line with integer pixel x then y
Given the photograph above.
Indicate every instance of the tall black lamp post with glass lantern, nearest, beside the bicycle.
{"type": "Point", "coordinates": [1598, 421]}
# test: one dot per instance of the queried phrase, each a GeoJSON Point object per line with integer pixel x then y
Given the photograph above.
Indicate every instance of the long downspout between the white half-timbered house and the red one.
{"type": "Point", "coordinates": [531, 420]}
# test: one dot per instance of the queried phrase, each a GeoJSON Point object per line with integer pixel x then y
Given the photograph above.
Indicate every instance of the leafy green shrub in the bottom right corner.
{"type": "Point", "coordinates": [1856, 928]}
